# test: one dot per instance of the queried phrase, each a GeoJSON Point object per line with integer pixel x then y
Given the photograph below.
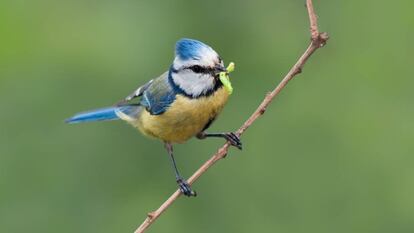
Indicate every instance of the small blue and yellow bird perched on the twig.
{"type": "Point", "coordinates": [180, 104]}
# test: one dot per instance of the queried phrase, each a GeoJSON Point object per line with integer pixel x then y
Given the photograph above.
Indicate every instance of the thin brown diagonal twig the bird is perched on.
{"type": "Point", "coordinates": [317, 40]}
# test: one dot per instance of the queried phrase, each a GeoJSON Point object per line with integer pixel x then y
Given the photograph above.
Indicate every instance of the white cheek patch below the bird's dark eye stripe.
{"type": "Point", "coordinates": [192, 83]}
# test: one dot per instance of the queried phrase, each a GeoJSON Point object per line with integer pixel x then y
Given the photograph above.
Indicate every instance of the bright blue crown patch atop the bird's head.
{"type": "Point", "coordinates": [188, 48]}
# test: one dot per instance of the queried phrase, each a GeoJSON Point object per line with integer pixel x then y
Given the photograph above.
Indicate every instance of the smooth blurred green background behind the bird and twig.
{"type": "Point", "coordinates": [333, 153]}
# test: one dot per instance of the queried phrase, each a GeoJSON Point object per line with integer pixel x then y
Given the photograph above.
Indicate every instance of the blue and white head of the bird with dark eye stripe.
{"type": "Point", "coordinates": [196, 67]}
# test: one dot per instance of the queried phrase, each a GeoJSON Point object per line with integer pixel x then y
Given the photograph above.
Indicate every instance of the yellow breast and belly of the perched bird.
{"type": "Point", "coordinates": [184, 118]}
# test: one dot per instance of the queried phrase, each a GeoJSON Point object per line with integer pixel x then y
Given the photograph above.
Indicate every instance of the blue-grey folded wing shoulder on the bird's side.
{"type": "Point", "coordinates": [159, 95]}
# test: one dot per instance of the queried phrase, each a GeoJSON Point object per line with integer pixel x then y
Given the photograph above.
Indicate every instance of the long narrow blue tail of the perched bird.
{"type": "Point", "coordinates": [103, 114]}
